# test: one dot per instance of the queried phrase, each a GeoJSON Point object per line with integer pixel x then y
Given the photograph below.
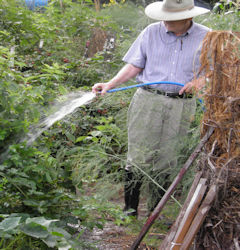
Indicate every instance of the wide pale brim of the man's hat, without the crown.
{"type": "Point", "coordinates": [155, 11]}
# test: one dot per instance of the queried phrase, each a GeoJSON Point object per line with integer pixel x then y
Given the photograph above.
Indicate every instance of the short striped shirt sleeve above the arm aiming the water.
{"type": "Point", "coordinates": [136, 55]}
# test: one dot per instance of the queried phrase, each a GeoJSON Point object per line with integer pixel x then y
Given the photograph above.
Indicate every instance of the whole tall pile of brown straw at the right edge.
{"type": "Point", "coordinates": [220, 60]}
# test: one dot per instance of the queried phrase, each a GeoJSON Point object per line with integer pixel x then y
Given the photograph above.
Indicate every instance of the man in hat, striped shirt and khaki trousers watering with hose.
{"type": "Point", "coordinates": [164, 51]}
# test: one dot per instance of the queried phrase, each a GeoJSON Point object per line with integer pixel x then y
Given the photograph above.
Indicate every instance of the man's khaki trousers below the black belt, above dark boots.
{"type": "Point", "coordinates": [156, 123]}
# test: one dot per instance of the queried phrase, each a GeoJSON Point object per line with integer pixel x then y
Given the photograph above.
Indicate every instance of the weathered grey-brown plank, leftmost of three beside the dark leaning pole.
{"type": "Point", "coordinates": [166, 243]}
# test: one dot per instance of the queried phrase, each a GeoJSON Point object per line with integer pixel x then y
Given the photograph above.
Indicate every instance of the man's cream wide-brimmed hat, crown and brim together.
{"type": "Point", "coordinates": [173, 10]}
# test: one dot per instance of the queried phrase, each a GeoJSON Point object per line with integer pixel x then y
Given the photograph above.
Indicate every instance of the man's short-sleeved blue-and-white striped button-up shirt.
{"type": "Point", "coordinates": [165, 56]}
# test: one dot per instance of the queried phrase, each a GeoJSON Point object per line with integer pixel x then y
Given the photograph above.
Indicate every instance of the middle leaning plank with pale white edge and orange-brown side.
{"type": "Point", "coordinates": [189, 215]}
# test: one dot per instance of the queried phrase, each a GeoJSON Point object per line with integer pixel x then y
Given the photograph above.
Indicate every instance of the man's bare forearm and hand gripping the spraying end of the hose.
{"type": "Point", "coordinates": [125, 74]}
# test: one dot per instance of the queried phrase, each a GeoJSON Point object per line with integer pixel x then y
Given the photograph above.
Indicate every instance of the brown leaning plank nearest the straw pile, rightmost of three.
{"type": "Point", "coordinates": [199, 218]}
